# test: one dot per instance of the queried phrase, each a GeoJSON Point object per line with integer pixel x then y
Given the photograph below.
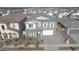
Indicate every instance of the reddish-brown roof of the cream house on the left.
{"type": "Point", "coordinates": [17, 17]}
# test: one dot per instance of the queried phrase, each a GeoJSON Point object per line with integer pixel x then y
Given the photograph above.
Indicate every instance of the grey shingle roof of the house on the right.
{"type": "Point", "coordinates": [69, 23]}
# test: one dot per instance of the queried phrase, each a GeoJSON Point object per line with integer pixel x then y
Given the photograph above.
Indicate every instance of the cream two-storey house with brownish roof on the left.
{"type": "Point", "coordinates": [11, 26]}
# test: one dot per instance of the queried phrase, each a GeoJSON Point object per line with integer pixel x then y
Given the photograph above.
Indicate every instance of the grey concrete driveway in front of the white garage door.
{"type": "Point", "coordinates": [55, 39]}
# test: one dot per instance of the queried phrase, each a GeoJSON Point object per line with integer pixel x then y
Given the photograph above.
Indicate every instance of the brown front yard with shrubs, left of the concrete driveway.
{"type": "Point", "coordinates": [29, 42]}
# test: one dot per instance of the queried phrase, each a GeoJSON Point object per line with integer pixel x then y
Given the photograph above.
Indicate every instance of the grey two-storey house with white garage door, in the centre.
{"type": "Point", "coordinates": [39, 25]}
